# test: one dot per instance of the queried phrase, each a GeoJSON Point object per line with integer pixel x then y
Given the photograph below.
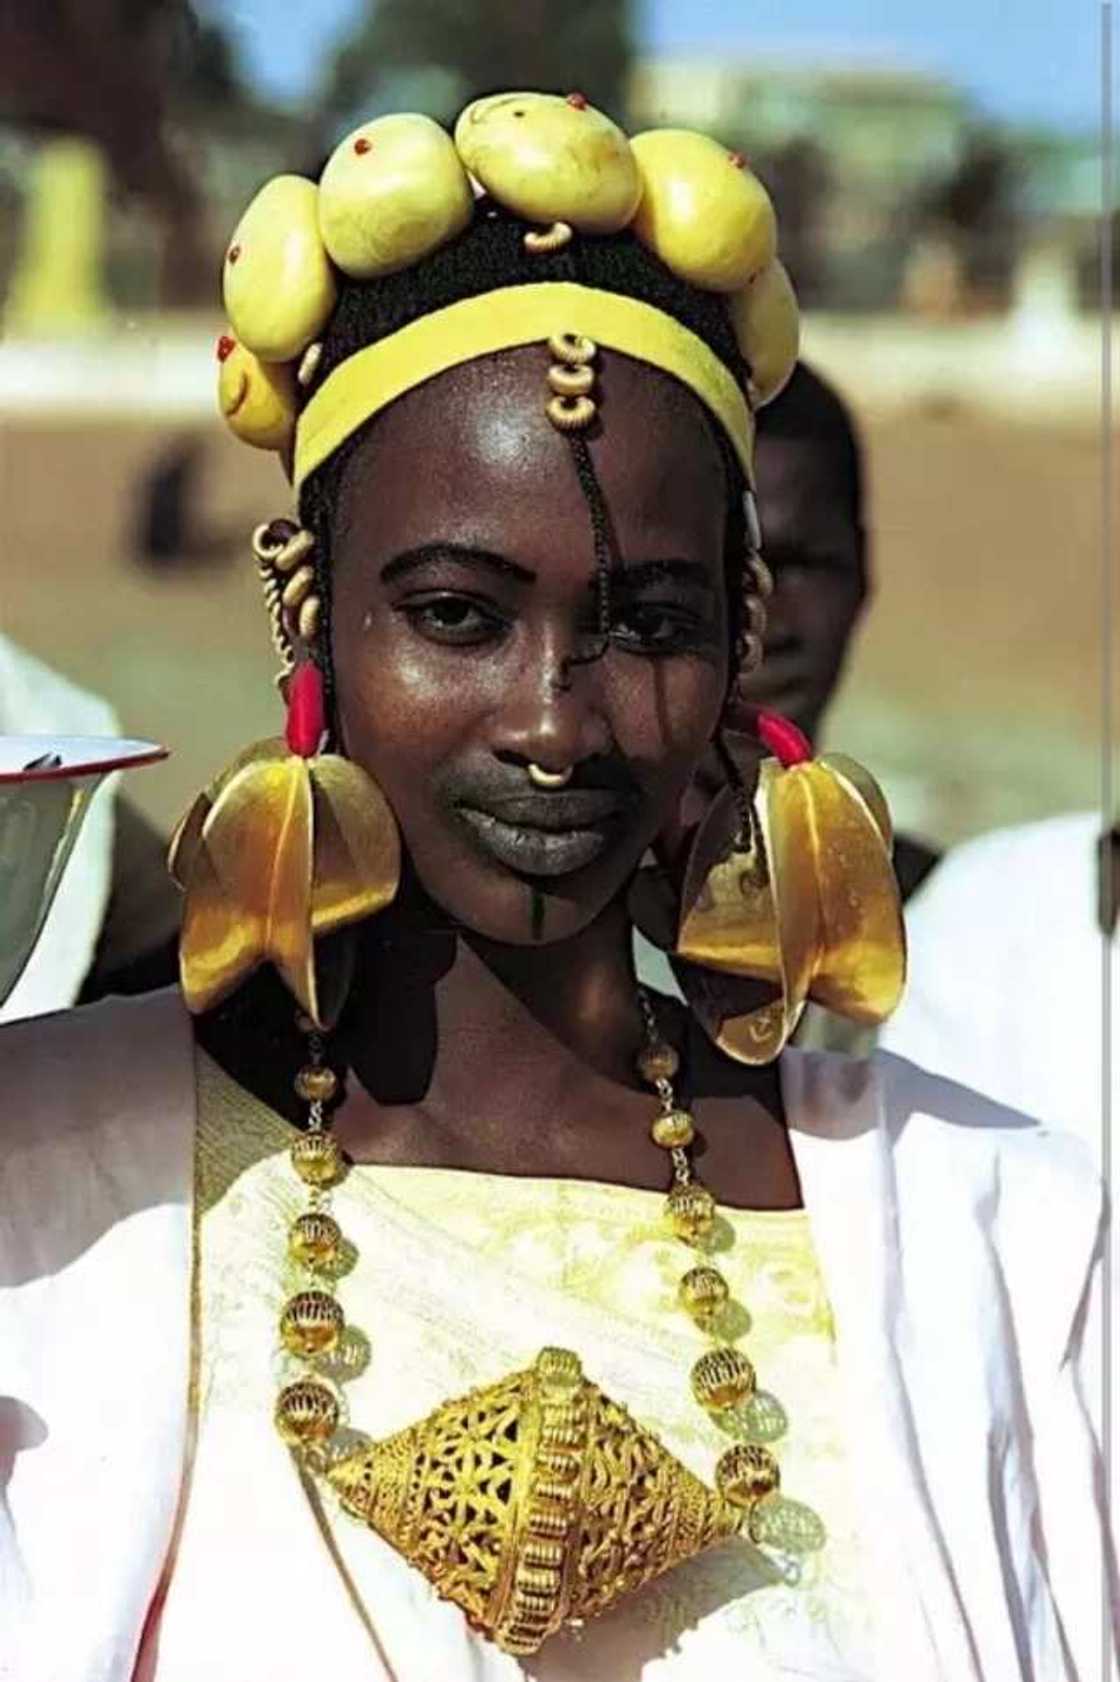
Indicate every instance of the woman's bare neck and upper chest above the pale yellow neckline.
{"type": "Point", "coordinates": [509, 1061]}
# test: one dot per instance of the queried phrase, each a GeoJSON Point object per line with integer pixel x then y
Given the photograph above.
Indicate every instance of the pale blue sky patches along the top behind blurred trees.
{"type": "Point", "coordinates": [1027, 61]}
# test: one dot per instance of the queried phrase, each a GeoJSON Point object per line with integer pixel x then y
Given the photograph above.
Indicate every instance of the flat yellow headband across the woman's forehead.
{"type": "Point", "coordinates": [500, 320]}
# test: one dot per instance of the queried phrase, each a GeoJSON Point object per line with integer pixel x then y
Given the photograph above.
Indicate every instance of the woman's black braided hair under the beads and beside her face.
{"type": "Point", "coordinates": [492, 255]}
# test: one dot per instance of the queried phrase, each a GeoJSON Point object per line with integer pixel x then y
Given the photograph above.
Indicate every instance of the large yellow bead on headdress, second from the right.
{"type": "Point", "coordinates": [704, 213]}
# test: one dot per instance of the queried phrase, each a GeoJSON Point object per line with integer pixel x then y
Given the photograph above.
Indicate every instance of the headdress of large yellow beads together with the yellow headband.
{"type": "Point", "coordinates": [399, 189]}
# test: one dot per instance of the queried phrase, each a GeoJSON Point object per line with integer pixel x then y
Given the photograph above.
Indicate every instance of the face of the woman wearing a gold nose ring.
{"type": "Point", "coordinates": [465, 584]}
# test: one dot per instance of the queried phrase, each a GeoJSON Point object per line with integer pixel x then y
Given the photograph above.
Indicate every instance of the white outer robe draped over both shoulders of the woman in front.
{"type": "Point", "coordinates": [959, 1247]}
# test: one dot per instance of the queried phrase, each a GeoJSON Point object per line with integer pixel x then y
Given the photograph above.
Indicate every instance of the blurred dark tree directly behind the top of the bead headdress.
{"type": "Point", "coordinates": [440, 55]}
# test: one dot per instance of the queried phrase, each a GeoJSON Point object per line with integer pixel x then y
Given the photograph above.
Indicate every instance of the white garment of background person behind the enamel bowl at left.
{"type": "Point", "coordinates": [36, 701]}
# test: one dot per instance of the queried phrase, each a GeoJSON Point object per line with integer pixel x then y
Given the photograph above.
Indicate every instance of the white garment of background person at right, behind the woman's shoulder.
{"type": "Point", "coordinates": [1006, 975]}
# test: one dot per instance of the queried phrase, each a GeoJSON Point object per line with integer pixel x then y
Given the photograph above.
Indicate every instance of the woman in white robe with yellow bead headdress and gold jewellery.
{"type": "Point", "coordinates": [428, 1161]}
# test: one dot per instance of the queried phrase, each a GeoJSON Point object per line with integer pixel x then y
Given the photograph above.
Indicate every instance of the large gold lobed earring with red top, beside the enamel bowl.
{"type": "Point", "coordinates": [285, 847]}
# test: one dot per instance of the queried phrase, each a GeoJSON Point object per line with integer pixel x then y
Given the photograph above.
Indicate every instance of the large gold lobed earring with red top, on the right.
{"type": "Point", "coordinates": [788, 897]}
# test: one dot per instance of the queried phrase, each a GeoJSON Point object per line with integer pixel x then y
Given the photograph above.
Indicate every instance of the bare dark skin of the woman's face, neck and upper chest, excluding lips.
{"type": "Point", "coordinates": [494, 1022]}
